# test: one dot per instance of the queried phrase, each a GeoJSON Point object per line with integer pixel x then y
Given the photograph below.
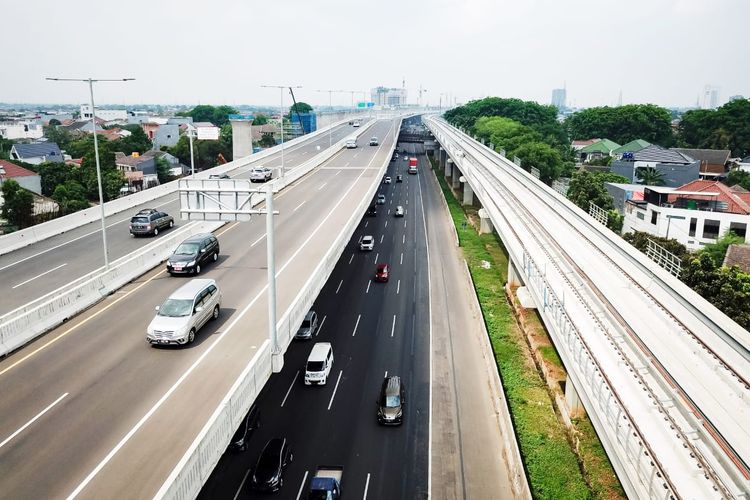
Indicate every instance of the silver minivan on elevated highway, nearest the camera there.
{"type": "Point", "coordinates": [186, 310]}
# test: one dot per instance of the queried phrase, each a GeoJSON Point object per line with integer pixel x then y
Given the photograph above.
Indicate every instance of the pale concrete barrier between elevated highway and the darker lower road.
{"type": "Point", "coordinates": [196, 465]}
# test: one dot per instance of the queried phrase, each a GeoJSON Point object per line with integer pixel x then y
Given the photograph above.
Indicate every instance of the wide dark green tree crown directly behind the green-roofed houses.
{"type": "Point", "coordinates": [623, 124]}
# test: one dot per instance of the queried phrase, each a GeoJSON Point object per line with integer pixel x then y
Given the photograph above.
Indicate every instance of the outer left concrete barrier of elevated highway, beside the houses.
{"type": "Point", "coordinates": [39, 232]}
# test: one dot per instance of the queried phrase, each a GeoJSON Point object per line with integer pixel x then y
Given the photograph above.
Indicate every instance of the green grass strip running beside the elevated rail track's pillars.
{"type": "Point", "coordinates": [551, 463]}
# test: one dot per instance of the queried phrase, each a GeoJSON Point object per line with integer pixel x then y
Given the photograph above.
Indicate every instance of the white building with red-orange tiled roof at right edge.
{"type": "Point", "coordinates": [695, 214]}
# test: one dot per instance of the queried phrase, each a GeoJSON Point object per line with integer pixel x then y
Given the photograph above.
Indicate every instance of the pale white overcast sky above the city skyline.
{"type": "Point", "coordinates": [221, 51]}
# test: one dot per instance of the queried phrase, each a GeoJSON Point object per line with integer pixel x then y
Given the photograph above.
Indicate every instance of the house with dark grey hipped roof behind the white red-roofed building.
{"type": "Point", "coordinates": [676, 168]}
